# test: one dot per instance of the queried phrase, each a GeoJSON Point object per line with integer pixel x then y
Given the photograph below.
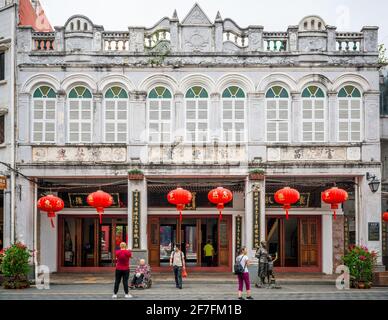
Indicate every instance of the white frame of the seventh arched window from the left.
{"type": "Point", "coordinates": [277, 121]}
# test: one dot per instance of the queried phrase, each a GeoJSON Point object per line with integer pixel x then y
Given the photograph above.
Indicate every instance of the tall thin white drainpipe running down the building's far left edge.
{"type": "Point", "coordinates": [12, 120]}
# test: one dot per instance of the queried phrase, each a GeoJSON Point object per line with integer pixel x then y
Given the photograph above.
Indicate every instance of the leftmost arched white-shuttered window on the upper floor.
{"type": "Point", "coordinates": [44, 114]}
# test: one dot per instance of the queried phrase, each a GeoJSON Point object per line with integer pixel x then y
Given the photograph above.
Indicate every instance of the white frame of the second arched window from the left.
{"type": "Point", "coordinates": [69, 121]}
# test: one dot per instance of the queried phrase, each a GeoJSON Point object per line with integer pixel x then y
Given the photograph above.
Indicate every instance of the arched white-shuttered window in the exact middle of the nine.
{"type": "Point", "coordinates": [197, 114]}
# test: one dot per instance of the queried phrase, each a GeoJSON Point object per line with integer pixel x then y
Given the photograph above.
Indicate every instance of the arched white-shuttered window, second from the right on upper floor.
{"type": "Point", "coordinates": [313, 114]}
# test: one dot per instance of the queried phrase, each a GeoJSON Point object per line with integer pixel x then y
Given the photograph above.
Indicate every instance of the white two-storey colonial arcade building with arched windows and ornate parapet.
{"type": "Point", "coordinates": [197, 104]}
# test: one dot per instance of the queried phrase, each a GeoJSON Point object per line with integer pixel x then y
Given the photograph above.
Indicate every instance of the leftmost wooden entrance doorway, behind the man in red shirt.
{"type": "Point", "coordinates": [85, 243]}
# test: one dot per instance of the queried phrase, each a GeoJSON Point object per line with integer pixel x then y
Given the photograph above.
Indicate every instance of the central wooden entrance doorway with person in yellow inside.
{"type": "Point", "coordinates": [192, 233]}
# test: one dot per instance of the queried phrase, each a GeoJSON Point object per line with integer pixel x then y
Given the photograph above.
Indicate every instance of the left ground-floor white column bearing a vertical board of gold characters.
{"type": "Point", "coordinates": [137, 188]}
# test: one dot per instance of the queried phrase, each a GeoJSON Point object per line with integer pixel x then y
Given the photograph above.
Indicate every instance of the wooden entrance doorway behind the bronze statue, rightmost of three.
{"type": "Point", "coordinates": [296, 242]}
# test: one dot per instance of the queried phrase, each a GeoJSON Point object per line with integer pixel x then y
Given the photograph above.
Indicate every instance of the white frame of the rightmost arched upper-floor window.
{"type": "Point", "coordinates": [349, 120]}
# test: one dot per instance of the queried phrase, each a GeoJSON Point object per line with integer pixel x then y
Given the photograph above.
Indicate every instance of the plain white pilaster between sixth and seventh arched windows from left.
{"type": "Point", "coordinates": [255, 115]}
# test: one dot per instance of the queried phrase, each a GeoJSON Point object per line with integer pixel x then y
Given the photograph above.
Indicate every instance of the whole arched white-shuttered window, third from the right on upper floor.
{"type": "Point", "coordinates": [277, 114]}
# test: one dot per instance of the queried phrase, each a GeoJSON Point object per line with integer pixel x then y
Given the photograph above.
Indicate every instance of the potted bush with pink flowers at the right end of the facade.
{"type": "Point", "coordinates": [361, 263]}
